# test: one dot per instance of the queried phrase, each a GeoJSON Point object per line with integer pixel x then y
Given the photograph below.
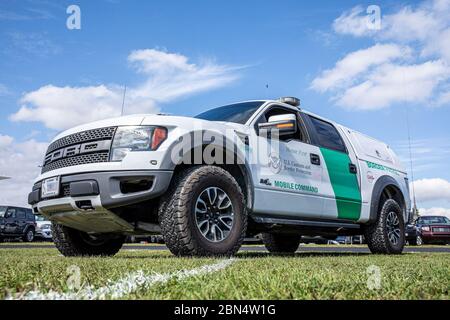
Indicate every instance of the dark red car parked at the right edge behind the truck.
{"type": "Point", "coordinates": [434, 229]}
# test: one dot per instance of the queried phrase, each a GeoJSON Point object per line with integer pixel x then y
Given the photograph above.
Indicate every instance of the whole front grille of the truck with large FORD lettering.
{"type": "Point", "coordinates": [85, 147]}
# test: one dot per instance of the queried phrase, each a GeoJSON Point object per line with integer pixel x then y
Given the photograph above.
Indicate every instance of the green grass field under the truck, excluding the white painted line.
{"type": "Point", "coordinates": [249, 276]}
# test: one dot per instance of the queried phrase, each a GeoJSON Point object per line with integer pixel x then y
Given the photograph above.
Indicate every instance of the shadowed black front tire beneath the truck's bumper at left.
{"type": "Point", "coordinates": [73, 243]}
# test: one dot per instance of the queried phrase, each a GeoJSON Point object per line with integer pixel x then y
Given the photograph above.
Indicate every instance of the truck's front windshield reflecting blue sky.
{"type": "Point", "coordinates": [237, 113]}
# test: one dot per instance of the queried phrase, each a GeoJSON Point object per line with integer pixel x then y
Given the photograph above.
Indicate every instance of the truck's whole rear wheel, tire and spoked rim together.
{"type": "Point", "coordinates": [387, 234]}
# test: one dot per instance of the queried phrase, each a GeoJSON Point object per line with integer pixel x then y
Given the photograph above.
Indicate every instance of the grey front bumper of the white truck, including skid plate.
{"type": "Point", "coordinates": [86, 200]}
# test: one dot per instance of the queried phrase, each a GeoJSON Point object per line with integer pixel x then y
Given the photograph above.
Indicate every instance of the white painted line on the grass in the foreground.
{"type": "Point", "coordinates": [130, 283]}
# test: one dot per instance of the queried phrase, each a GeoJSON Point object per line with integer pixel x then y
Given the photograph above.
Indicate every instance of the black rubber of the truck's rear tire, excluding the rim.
{"type": "Point", "coordinates": [377, 233]}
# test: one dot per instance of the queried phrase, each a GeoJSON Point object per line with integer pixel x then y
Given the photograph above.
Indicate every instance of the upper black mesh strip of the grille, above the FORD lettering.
{"type": "Point", "coordinates": [85, 136]}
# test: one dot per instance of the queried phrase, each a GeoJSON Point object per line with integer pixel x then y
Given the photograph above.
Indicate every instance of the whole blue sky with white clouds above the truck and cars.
{"type": "Point", "coordinates": [228, 51]}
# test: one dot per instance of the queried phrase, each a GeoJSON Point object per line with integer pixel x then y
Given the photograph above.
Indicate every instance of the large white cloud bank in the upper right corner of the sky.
{"type": "Point", "coordinates": [420, 76]}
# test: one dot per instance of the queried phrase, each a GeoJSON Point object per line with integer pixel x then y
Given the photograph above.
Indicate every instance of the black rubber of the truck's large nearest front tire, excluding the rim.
{"type": "Point", "coordinates": [177, 217]}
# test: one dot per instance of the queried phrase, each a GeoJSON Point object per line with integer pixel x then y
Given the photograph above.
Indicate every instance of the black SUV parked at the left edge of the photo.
{"type": "Point", "coordinates": [17, 222]}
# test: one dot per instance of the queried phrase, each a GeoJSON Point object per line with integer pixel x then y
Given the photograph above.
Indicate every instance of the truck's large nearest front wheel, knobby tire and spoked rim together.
{"type": "Point", "coordinates": [204, 213]}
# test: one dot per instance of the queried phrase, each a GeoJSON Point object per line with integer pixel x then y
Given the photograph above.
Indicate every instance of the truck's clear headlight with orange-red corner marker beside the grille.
{"type": "Point", "coordinates": [142, 138]}
